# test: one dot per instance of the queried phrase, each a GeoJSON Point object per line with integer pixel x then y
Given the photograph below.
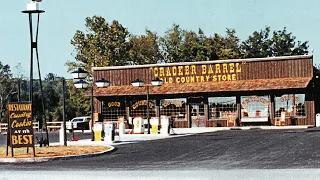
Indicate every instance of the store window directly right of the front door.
{"type": "Point", "coordinates": [222, 108]}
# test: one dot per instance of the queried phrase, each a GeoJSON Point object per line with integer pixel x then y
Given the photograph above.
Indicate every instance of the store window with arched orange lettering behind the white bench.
{"type": "Point", "coordinates": [255, 108]}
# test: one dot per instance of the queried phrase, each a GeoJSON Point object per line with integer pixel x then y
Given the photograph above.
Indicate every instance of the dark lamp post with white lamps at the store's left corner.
{"type": "Point", "coordinates": [80, 75]}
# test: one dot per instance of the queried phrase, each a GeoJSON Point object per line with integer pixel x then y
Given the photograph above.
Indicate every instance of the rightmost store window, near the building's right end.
{"type": "Point", "coordinates": [292, 104]}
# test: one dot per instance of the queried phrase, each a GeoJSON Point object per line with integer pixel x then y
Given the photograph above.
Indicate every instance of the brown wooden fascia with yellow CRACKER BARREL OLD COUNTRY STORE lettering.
{"type": "Point", "coordinates": [207, 71]}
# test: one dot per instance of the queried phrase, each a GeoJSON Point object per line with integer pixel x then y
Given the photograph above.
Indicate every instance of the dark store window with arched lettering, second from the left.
{"type": "Point", "coordinates": [138, 108]}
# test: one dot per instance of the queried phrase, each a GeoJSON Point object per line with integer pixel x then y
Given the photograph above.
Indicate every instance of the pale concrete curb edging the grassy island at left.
{"type": "Point", "coordinates": [46, 159]}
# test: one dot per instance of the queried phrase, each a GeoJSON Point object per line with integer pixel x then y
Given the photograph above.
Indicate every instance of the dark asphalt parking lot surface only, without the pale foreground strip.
{"type": "Point", "coordinates": [231, 149]}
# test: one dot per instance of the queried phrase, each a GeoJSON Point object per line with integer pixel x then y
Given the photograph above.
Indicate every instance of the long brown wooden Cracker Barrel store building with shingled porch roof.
{"type": "Point", "coordinates": [259, 91]}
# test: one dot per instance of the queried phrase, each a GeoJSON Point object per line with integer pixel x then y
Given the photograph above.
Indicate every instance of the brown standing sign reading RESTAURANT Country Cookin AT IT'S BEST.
{"type": "Point", "coordinates": [20, 127]}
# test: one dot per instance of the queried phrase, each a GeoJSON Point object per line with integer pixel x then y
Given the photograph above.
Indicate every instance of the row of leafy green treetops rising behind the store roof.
{"type": "Point", "coordinates": [104, 44]}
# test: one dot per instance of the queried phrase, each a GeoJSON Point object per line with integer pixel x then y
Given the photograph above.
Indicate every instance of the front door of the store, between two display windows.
{"type": "Point", "coordinates": [197, 115]}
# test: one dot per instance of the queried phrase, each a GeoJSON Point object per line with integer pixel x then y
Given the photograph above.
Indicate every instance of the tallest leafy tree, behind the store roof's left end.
{"type": "Point", "coordinates": [101, 45]}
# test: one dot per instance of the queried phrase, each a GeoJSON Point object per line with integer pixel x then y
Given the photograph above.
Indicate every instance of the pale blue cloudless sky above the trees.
{"type": "Point", "coordinates": [63, 17]}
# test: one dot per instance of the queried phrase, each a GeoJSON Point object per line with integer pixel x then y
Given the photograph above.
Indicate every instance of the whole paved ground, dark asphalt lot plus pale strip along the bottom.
{"type": "Point", "coordinates": [210, 153]}
